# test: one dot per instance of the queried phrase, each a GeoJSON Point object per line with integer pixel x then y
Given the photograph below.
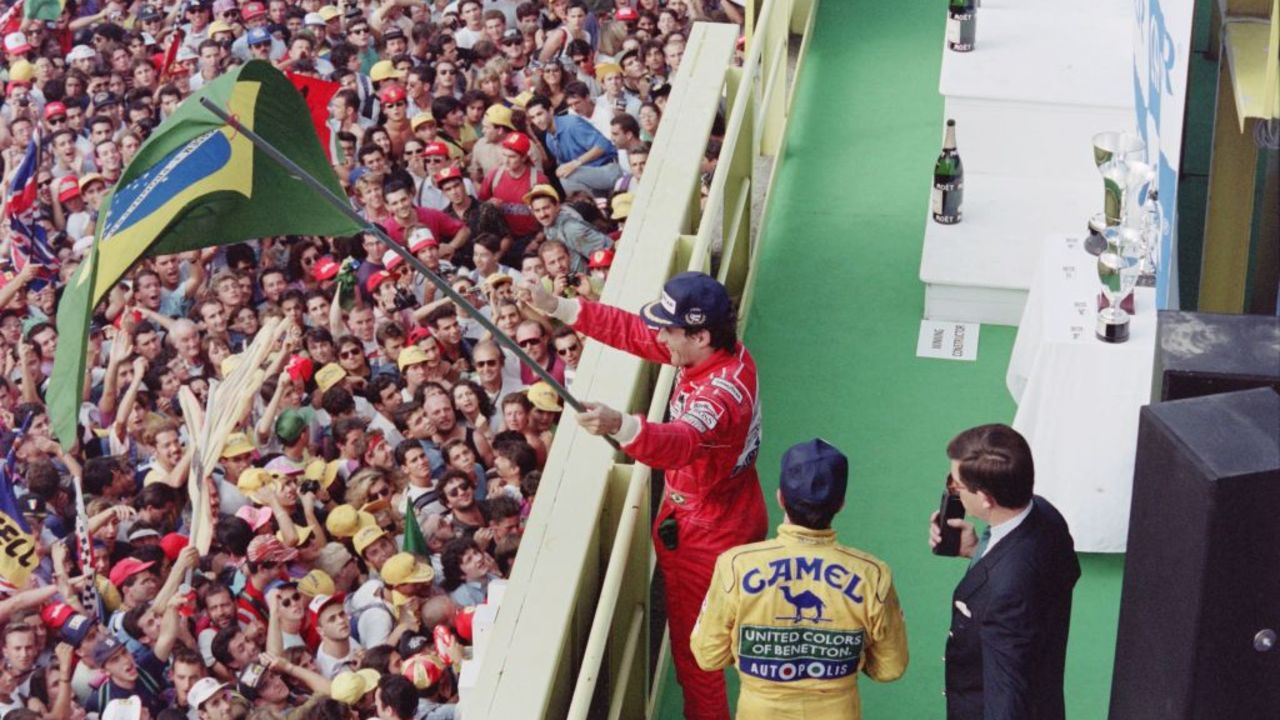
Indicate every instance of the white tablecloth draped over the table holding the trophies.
{"type": "Point", "coordinates": [1078, 399]}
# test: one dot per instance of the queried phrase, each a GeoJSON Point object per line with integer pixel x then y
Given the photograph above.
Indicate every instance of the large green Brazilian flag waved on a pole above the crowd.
{"type": "Point", "coordinates": [195, 184]}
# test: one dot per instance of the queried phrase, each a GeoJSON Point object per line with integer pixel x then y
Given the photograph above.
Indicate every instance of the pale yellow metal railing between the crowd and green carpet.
{"type": "Point", "coordinates": [572, 636]}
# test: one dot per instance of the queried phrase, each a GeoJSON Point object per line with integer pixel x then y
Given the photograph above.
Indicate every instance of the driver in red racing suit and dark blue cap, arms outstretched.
{"type": "Point", "coordinates": [707, 449]}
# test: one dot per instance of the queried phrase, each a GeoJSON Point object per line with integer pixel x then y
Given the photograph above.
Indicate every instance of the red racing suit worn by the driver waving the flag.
{"type": "Point", "coordinates": [707, 450]}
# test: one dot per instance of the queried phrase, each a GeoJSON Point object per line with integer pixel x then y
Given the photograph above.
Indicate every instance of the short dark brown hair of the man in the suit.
{"type": "Point", "coordinates": [995, 459]}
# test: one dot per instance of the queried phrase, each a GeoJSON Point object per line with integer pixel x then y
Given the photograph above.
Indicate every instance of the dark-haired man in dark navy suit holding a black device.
{"type": "Point", "coordinates": [1012, 613]}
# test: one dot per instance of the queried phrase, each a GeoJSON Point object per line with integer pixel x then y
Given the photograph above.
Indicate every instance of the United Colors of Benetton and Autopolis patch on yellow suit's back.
{"type": "Point", "coordinates": [785, 655]}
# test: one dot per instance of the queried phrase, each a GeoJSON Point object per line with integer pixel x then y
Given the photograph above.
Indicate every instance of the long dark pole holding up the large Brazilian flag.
{"type": "Point", "coordinates": [441, 284]}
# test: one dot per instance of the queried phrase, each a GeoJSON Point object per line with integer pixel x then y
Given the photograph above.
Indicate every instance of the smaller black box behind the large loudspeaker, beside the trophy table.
{"type": "Point", "coordinates": [1205, 354]}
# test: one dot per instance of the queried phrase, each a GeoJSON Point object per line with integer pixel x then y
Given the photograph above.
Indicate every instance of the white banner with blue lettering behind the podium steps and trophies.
{"type": "Point", "coordinates": [1162, 49]}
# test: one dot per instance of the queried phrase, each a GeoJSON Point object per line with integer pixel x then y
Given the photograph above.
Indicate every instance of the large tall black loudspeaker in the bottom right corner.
{"type": "Point", "coordinates": [1200, 610]}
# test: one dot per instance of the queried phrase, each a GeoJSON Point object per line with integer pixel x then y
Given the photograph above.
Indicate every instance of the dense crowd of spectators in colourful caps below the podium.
{"type": "Point", "coordinates": [499, 142]}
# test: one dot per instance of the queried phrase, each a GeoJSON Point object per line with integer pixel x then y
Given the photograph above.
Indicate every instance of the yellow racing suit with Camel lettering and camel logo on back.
{"type": "Point", "coordinates": [801, 617]}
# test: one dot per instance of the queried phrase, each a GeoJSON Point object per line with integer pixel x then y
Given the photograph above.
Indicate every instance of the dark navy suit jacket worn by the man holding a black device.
{"type": "Point", "coordinates": [1005, 659]}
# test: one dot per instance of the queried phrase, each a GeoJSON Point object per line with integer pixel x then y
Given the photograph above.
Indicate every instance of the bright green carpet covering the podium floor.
{"type": "Point", "coordinates": [834, 329]}
